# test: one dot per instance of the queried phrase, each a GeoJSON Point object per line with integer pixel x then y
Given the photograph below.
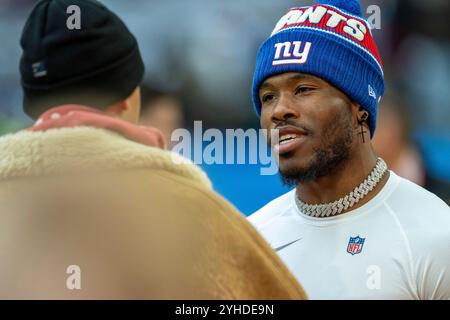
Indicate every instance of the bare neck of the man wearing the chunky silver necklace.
{"type": "Point", "coordinates": [350, 175]}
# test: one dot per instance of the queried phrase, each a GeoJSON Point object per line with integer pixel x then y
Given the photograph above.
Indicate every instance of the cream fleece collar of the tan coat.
{"type": "Point", "coordinates": [40, 151]}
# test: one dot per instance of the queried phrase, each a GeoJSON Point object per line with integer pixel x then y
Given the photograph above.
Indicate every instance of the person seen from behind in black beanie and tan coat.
{"type": "Point", "coordinates": [87, 194]}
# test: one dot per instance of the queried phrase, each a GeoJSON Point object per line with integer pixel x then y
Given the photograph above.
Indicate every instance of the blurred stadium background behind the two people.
{"type": "Point", "coordinates": [199, 58]}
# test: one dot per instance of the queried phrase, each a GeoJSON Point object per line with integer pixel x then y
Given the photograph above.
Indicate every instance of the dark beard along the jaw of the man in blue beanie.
{"type": "Point", "coordinates": [334, 151]}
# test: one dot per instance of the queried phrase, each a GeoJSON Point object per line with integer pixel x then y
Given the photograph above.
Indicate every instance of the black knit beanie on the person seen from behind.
{"type": "Point", "coordinates": [96, 65]}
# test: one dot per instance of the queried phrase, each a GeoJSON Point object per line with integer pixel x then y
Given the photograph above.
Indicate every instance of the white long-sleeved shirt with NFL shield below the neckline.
{"type": "Point", "coordinates": [396, 246]}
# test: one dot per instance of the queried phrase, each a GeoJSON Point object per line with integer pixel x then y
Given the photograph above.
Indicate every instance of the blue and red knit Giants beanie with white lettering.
{"type": "Point", "coordinates": [329, 40]}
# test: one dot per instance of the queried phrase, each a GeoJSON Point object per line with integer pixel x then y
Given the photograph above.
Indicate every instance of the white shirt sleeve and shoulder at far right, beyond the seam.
{"type": "Point", "coordinates": [424, 223]}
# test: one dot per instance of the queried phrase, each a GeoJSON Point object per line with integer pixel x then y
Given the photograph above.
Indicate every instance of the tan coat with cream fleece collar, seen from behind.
{"type": "Point", "coordinates": [132, 221]}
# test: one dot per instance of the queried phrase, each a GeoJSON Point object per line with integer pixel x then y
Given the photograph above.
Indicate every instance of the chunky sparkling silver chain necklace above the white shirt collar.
{"type": "Point", "coordinates": [336, 207]}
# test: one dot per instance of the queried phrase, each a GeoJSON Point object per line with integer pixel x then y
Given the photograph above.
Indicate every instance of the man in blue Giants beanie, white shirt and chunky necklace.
{"type": "Point", "coordinates": [351, 228]}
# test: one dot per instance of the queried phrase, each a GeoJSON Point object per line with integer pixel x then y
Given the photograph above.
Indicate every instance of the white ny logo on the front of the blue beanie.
{"type": "Point", "coordinates": [294, 56]}
